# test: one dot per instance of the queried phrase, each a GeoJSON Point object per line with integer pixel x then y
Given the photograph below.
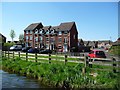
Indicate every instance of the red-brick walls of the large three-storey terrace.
{"type": "Point", "coordinates": [71, 41]}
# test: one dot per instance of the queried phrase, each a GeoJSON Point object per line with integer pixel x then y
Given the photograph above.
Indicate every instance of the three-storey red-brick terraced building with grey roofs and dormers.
{"type": "Point", "coordinates": [62, 38]}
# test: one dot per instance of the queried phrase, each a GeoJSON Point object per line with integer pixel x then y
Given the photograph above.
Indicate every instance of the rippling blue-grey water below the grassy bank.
{"type": "Point", "coordinates": [16, 81]}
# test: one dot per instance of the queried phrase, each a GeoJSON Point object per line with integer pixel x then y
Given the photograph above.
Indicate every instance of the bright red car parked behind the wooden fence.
{"type": "Point", "coordinates": [97, 54]}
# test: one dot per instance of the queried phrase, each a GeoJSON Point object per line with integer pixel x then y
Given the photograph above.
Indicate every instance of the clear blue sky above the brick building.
{"type": "Point", "coordinates": [94, 20]}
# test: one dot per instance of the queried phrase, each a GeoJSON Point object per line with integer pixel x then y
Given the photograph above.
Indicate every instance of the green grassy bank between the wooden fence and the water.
{"type": "Point", "coordinates": [62, 76]}
